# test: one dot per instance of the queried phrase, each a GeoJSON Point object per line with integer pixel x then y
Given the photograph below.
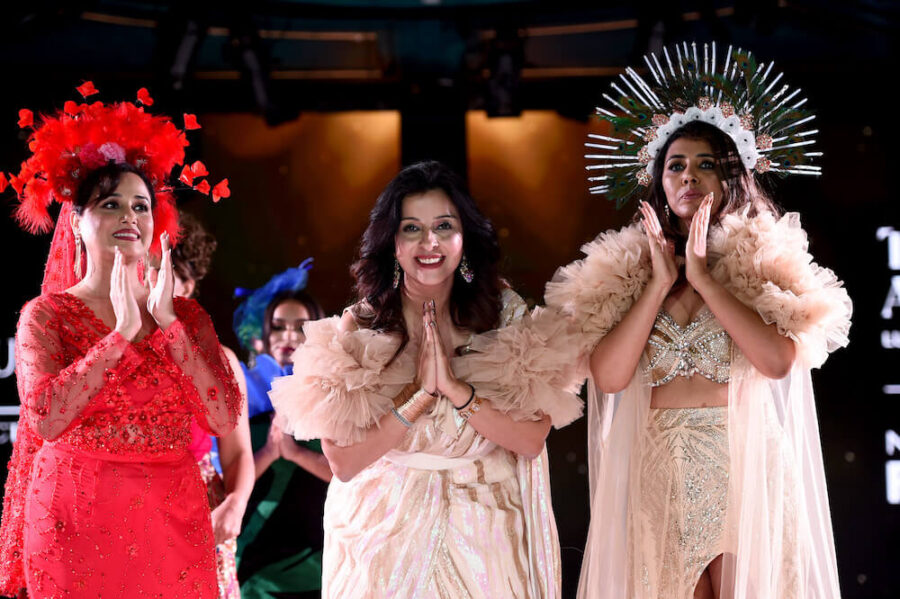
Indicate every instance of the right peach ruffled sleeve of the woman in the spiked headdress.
{"type": "Point", "coordinates": [764, 261]}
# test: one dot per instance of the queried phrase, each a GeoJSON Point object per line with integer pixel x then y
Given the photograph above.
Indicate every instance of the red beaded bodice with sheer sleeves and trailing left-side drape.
{"type": "Point", "coordinates": [86, 387]}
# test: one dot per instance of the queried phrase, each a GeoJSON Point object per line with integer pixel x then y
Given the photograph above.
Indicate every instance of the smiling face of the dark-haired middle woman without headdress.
{"type": "Point", "coordinates": [429, 242]}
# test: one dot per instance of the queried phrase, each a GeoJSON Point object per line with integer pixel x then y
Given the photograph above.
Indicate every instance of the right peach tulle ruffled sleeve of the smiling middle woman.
{"type": "Point", "coordinates": [529, 367]}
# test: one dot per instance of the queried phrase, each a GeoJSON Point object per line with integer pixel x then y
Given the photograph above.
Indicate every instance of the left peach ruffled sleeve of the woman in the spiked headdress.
{"type": "Point", "coordinates": [599, 289]}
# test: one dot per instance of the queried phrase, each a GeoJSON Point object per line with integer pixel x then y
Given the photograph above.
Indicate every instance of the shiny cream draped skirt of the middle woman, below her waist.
{"type": "Point", "coordinates": [398, 531]}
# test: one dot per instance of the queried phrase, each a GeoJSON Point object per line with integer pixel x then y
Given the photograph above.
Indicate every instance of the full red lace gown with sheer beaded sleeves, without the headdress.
{"type": "Point", "coordinates": [111, 504]}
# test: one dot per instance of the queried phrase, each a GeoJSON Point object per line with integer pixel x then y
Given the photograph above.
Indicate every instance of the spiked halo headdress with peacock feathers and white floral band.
{"type": "Point", "coordinates": [743, 99]}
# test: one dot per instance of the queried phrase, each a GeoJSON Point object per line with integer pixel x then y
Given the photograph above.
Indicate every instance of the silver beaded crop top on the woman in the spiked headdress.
{"type": "Point", "coordinates": [702, 347]}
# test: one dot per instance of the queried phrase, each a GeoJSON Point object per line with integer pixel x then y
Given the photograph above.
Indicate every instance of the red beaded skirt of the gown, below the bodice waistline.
{"type": "Point", "coordinates": [106, 527]}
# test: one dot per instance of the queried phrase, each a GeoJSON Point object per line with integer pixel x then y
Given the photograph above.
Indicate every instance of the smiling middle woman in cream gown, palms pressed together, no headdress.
{"type": "Point", "coordinates": [433, 396]}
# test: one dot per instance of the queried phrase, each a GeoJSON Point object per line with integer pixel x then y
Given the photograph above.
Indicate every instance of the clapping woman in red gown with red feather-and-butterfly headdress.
{"type": "Point", "coordinates": [103, 499]}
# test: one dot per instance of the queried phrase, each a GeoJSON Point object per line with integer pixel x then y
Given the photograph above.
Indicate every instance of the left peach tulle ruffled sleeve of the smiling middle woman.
{"type": "Point", "coordinates": [343, 382]}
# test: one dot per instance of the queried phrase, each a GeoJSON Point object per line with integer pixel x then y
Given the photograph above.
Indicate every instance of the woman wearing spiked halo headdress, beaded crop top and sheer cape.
{"type": "Point", "coordinates": [702, 320]}
